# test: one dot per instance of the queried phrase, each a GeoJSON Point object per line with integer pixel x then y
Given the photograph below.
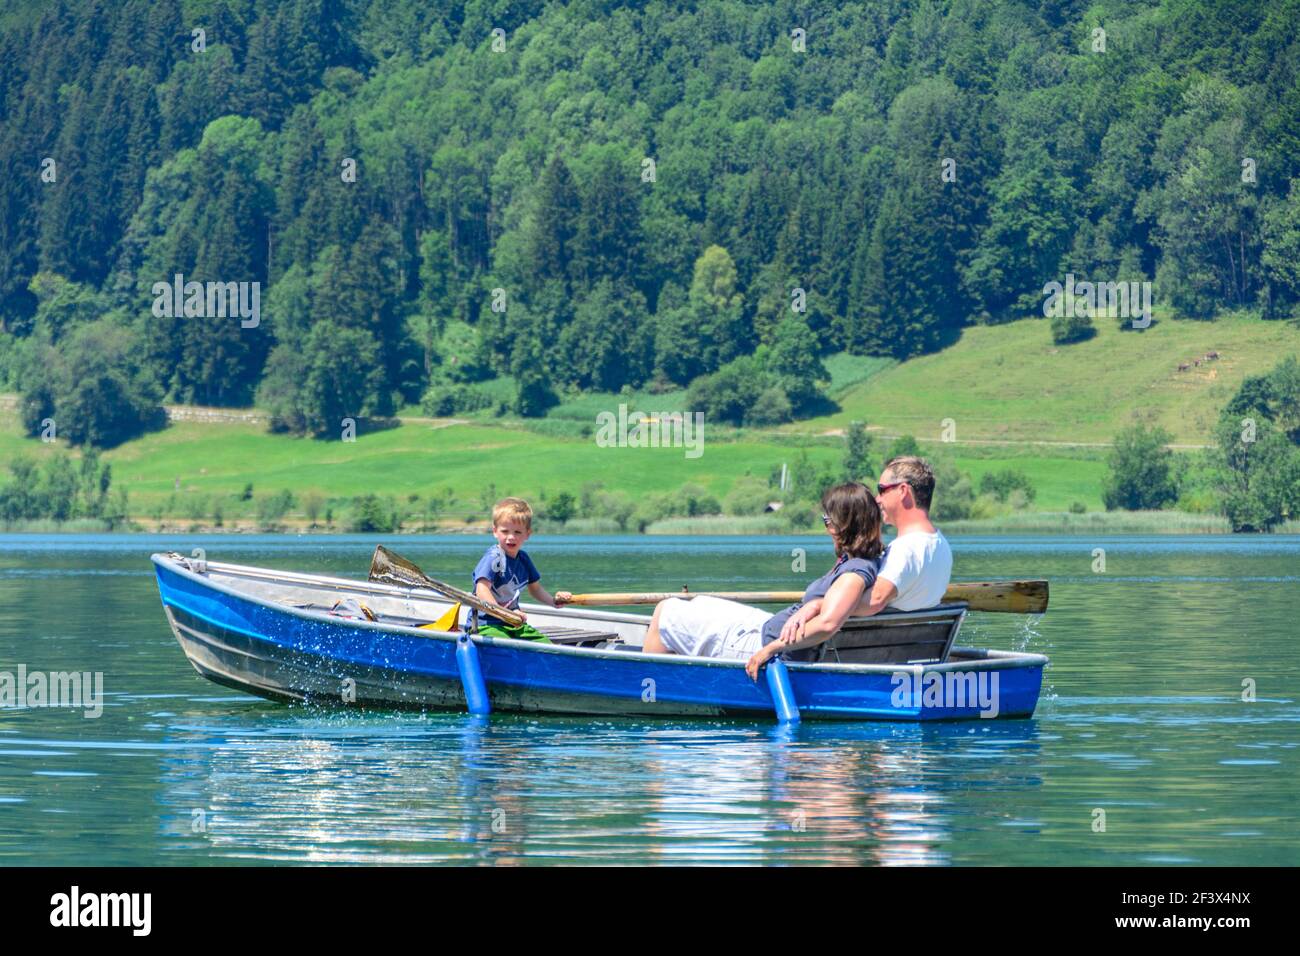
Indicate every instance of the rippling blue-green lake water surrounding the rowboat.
{"type": "Point", "coordinates": [1142, 726]}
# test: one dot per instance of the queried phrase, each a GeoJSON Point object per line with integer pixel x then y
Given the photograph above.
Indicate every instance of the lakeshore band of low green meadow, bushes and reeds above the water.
{"type": "Point", "coordinates": [211, 471]}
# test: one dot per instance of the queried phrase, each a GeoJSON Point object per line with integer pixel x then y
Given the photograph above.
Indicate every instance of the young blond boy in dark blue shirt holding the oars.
{"type": "Point", "coordinates": [506, 570]}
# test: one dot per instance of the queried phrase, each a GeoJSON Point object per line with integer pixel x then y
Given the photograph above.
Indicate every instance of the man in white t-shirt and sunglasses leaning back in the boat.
{"type": "Point", "coordinates": [918, 563]}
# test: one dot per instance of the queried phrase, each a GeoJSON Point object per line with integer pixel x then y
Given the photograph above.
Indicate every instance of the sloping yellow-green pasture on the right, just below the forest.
{"type": "Point", "coordinates": [1012, 383]}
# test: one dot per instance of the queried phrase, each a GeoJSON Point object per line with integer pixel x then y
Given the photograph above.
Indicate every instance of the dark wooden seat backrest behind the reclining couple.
{"type": "Point", "coordinates": [896, 638]}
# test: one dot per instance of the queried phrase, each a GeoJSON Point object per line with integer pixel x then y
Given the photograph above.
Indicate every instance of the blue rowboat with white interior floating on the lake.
{"type": "Point", "coordinates": [284, 637]}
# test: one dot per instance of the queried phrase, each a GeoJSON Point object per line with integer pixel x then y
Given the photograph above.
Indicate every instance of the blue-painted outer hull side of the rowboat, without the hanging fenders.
{"type": "Point", "coordinates": [285, 654]}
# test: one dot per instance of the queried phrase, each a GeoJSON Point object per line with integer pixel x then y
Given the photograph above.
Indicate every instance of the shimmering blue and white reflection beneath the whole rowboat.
{"type": "Point", "coordinates": [336, 789]}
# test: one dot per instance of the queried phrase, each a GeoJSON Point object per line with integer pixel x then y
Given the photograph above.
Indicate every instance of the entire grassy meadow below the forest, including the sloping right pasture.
{"type": "Point", "coordinates": [1017, 401]}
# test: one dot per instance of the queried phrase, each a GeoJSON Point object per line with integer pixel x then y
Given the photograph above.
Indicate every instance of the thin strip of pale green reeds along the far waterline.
{"type": "Point", "coordinates": [1029, 524]}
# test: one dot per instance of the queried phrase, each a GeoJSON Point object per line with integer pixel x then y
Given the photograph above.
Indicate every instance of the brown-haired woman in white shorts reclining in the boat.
{"type": "Point", "coordinates": [713, 628]}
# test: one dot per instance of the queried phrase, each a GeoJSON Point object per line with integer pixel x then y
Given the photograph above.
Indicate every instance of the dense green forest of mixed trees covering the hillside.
{"type": "Point", "coordinates": [595, 196]}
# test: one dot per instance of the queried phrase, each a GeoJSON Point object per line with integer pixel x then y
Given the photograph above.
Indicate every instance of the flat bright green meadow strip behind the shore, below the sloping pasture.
{"type": "Point", "coordinates": [473, 462]}
